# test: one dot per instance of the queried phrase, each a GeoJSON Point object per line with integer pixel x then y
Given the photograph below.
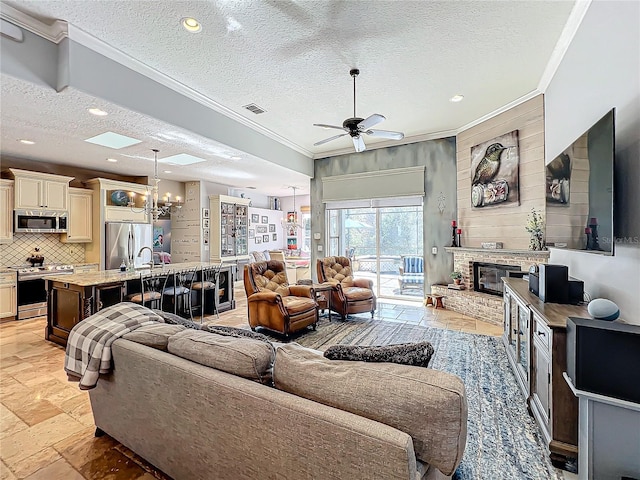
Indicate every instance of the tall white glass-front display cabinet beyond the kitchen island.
{"type": "Point", "coordinates": [229, 228]}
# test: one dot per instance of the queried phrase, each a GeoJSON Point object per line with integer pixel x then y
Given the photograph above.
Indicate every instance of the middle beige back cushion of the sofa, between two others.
{"type": "Point", "coordinates": [245, 357]}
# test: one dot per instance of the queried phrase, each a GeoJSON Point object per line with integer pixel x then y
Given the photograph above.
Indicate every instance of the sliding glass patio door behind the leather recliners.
{"type": "Point", "coordinates": [378, 239]}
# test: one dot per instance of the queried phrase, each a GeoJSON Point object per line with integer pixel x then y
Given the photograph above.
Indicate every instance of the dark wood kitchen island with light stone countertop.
{"type": "Point", "coordinates": [72, 298]}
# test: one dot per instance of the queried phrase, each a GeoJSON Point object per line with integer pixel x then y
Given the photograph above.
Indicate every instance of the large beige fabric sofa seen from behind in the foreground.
{"type": "Point", "coordinates": [177, 407]}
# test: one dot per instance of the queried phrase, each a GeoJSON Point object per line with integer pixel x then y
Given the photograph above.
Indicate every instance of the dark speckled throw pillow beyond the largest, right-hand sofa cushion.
{"type": "Point", "coordinates": [416, 354]}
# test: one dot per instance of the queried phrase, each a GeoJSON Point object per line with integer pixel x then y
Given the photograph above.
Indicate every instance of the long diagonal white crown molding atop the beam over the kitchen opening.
{"type": "Point", "coordinates": [99, 46]}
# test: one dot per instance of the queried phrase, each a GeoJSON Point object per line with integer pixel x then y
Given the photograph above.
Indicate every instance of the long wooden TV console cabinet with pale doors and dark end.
{"type": "Point", "coordinates": [535, 339]}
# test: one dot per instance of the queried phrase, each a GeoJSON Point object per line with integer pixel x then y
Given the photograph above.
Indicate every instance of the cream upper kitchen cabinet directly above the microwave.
{"type": "Point", "coordinates": [33, 190]}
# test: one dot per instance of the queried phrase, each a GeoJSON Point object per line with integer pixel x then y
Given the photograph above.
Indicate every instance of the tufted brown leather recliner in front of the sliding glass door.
{"type": "Point", "coordinates": [349, 295]}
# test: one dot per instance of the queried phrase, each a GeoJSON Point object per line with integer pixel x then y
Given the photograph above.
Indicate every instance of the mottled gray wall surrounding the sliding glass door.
{"type": "Point", "coordinates": [439, 158]}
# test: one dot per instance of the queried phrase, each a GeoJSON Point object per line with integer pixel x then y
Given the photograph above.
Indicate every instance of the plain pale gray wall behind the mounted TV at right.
{"type": "Point", "coordinates": [601, 70]}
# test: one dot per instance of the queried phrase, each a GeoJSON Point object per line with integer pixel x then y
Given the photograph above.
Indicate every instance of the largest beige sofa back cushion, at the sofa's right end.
{"type": "Point", "coordinates": [427, 404]}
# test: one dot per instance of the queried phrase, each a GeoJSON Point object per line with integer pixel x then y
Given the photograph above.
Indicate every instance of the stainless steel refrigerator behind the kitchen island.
{"type": "Point", "coordinates": [123, 242]}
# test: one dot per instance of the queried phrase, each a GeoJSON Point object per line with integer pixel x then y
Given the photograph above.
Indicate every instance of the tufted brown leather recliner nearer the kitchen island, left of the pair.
{"type": "Point", "coordinates": [274, 304]}
